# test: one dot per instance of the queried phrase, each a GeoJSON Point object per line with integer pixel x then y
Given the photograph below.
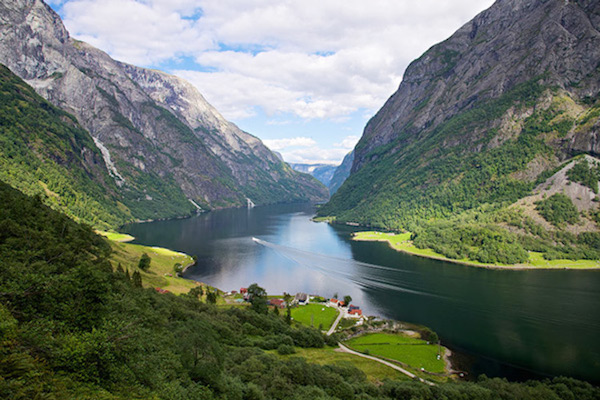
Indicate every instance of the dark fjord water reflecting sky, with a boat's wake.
{"type": "Point", "coordinates": [513, 323]}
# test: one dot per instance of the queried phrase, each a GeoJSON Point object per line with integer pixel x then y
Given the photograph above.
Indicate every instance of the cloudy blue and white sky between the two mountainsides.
{"type": "Point", "coordinates": [304, 76]}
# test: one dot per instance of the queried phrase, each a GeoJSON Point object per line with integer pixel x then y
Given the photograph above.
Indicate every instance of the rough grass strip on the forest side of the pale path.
{"type": "Point", "coordinates": [374, 371]}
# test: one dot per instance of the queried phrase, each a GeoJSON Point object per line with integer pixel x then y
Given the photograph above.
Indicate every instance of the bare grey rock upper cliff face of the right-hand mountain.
{"type": "Point", "coordinates": [511, 43]}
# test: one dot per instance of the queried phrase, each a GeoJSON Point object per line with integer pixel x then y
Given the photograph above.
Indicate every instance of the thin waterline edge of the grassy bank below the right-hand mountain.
{"type": "Point", "coordinates": [515, 267]}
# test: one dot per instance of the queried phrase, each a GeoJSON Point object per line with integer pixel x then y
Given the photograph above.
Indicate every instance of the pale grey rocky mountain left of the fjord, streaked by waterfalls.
{"type": "Point", "coordinates": [167, 150]}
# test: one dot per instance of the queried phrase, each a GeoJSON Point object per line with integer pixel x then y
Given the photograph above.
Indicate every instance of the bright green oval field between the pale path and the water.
{"type": "Point", "coordinates": [414, 352]}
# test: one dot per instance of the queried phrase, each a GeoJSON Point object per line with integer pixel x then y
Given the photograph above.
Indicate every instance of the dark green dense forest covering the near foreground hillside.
{"type": "Point", "coordinates": [72, 326]}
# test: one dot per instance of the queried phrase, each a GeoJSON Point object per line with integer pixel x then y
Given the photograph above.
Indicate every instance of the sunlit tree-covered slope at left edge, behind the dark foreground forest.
{"type": "Point", "coordinates": [44, 151]}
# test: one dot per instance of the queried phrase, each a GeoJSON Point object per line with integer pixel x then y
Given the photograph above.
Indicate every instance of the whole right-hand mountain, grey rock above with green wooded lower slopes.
{"type": "Point", "coordinates": [478, 121]}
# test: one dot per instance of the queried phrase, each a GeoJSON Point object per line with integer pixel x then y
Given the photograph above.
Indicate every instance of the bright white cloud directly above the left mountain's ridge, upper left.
{"type": "Point", "coordinates": [138, 32]}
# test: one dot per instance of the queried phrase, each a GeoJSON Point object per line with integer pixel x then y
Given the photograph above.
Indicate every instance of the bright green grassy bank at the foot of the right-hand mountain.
{"type": "Point", "coordinates": [401, 242]}
